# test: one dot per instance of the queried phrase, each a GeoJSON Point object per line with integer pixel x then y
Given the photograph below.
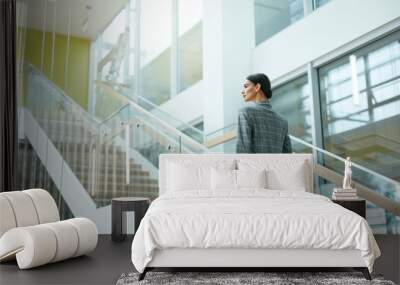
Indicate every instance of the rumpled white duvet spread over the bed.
{"type": "Point", "coordinates": [250, 218]}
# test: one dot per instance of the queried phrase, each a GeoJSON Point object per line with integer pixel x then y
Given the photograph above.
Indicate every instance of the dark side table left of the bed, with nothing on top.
{"type": "Point", "coordinates": [119, 207]}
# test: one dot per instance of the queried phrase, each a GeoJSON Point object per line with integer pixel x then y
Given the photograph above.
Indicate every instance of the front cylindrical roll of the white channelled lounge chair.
{"type": "Point", "coordinates": [37, 245]}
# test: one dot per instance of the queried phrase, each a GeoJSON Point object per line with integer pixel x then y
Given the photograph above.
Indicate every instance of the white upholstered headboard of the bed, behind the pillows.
{"type": "Point", "coordinates": [236, 159]}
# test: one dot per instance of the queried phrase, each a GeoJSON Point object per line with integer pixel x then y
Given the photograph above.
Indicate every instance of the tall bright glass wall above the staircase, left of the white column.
{"type": "Point", "coordinates": [169, 55]}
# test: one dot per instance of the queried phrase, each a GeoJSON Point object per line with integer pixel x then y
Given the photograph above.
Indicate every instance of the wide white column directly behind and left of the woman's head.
{"type": "Point", "coordinates": [228, 40]}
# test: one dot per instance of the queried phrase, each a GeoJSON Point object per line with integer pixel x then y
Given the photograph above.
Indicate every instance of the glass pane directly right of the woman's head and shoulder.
{"type": "Point", "coordinates": [293, 101]}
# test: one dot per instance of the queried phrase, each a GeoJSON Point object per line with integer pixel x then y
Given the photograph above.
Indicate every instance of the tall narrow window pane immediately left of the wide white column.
{"type": "Point", "coordinates": [190, 57]}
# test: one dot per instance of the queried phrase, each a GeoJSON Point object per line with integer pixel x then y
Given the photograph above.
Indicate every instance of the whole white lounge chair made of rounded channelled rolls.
{"type": "Point", "coordinates": [31, 231]}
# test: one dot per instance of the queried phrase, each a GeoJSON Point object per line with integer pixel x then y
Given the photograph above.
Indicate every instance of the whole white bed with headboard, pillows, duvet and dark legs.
{"type": "Point", "coordinates": [198, 223]}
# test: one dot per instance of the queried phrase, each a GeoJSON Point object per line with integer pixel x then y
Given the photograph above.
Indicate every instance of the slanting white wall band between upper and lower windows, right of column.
{"type": "Point", "coordinates": [326, 29]}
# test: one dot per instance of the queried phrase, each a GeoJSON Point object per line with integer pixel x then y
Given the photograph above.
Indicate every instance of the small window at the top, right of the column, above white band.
{"type": "Point", "coordinates": [272, 16]}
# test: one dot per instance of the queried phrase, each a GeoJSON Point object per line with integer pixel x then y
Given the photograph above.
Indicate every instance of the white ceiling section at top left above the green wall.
{"type": "Point", "coordinates": [100, 15]}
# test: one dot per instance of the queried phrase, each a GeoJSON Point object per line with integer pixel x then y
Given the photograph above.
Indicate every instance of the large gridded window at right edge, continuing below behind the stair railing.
{"type": "Point", "coordinates": [360, 105]}
